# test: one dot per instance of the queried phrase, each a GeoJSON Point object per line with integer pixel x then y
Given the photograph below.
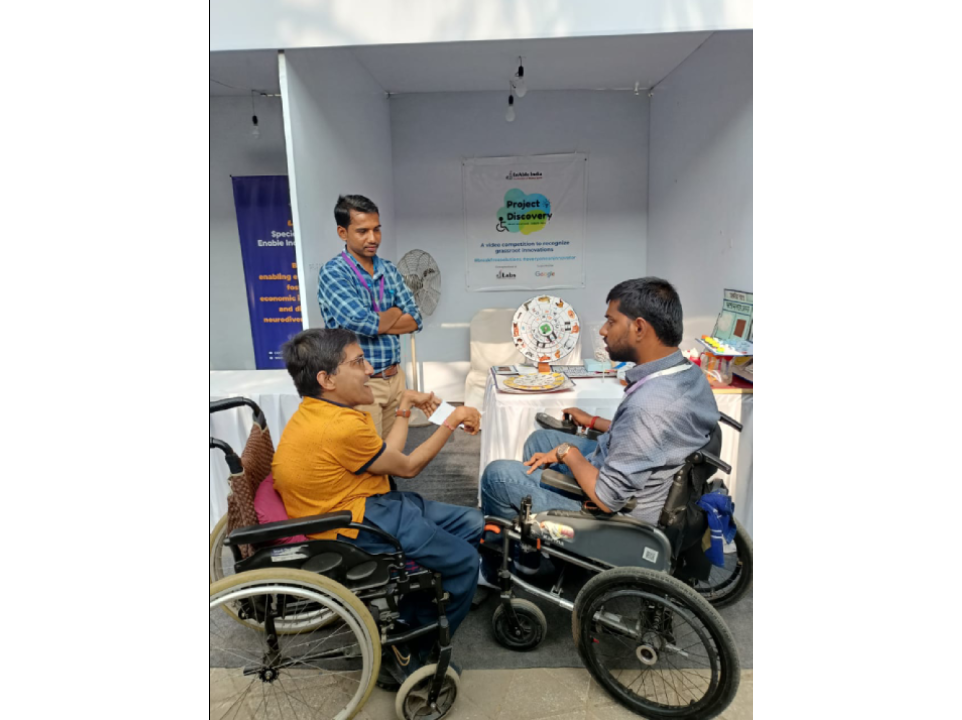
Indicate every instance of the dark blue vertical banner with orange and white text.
{"type": "Point", "coordinates": [263, 206]}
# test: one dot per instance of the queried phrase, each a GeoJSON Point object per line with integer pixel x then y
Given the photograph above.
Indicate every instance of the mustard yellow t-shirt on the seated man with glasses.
{"type": "Point", "coordinates": [321, 463]}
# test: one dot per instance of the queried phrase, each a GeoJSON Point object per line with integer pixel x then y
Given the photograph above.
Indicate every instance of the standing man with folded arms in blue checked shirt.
{"type": "Point", "coordinates": [361, 292]}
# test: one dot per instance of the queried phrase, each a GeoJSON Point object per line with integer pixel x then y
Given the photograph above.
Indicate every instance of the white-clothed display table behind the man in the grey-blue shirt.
{"type": "Point", "coordinates": [510, 419]}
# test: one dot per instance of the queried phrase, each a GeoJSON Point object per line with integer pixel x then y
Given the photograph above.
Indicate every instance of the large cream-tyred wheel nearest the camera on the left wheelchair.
{"type": "Point", "coordinates": [324, 674]}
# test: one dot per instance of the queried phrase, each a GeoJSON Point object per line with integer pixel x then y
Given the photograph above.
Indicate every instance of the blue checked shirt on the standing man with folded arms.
{"type": "Point", "coordinates": [346, 303]}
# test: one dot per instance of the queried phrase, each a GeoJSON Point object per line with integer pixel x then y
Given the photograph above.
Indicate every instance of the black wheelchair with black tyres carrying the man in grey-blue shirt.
{"type": "Point", "coordinates": [644, 623]}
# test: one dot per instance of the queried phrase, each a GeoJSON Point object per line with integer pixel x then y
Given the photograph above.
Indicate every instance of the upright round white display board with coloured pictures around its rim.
{"type": "Point", "coordinates": [546, 329]}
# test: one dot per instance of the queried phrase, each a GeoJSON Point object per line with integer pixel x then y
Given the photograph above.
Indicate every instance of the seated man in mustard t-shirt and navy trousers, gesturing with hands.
{"type": "Point", "coordinates": [330, 459]}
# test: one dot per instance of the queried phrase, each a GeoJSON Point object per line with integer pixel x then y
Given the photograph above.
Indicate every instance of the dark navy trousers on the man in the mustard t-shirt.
{"type": "Point", "coordinates": [438, 537]}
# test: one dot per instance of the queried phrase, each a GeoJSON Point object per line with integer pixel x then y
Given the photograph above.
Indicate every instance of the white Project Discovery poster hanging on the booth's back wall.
{"type": "Point", "coordinates": [524, 221]}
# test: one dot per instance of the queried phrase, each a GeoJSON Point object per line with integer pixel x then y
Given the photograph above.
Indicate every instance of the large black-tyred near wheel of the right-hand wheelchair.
{"type": "Point", "coordinates": [656, 645]}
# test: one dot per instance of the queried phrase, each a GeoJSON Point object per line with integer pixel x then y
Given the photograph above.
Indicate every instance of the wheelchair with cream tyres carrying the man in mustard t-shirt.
{"type": "Point", "coordinates": [297, 629]}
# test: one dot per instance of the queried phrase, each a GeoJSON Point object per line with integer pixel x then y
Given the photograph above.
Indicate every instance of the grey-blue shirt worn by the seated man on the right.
{"type": "Point", "coordinates": [657, 427]}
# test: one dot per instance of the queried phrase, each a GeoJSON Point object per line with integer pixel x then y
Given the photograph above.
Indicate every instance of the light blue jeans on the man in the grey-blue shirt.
{"type": "Point", "coordinates": [506, 483]}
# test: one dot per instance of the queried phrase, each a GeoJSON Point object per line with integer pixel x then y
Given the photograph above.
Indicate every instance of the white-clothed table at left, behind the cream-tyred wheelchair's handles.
{"type": "Point", "coordinates": [274, 392]}
